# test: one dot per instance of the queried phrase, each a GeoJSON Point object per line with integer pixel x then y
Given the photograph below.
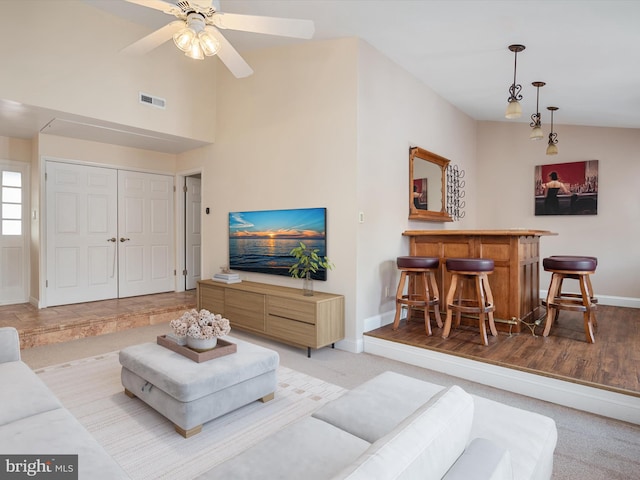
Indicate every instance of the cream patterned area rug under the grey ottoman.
{"type": "Point", "coordinates": [145, 443]}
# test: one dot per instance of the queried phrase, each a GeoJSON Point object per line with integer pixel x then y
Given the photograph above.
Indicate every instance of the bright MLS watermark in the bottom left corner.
{"type": "Point", "coordinates": [50, 467]}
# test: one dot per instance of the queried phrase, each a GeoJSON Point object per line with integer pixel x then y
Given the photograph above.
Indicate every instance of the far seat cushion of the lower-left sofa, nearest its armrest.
{"type": "Point", "coordinates": [23, 394]}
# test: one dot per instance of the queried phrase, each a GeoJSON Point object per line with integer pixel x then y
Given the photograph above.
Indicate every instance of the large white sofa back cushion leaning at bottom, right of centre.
{"type": "Point", "coordinates": [424, 445]}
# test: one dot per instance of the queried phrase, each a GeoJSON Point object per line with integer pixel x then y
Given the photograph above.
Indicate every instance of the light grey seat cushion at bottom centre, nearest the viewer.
{"type": "Point", "coordinates": [308, 449]}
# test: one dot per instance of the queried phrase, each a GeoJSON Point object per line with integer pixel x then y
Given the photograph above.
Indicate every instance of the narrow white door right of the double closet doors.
{"type": "Point", "coordinates": [193, 233]}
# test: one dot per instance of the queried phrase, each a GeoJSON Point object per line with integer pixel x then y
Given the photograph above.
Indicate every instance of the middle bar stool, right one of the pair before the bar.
{"type": "Point", "coordinates": [475, 270]}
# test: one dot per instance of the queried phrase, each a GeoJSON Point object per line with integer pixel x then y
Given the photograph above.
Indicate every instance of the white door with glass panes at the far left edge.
{"type": "Point", "coordinates": [14, 233]}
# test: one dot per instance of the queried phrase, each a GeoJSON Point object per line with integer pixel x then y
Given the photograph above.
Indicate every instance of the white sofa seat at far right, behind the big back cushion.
{"type": "Point", "coordinates": [530, 437]}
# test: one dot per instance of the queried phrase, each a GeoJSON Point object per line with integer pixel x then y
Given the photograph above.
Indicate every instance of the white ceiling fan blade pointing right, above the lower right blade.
{"type": "Point", "coordinates": [285, 27]}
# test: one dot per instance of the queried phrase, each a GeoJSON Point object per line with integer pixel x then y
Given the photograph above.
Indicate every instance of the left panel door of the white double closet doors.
{"type": "Point", "coordinates": [81, 230]}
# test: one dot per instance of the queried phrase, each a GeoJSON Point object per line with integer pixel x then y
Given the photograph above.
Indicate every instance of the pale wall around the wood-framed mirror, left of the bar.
{"type": "Point", "coordinates": [395, 112]}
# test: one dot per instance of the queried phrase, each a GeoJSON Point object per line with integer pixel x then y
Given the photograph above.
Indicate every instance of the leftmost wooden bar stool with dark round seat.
{"type": "Point", "coordinates": [420, 294]}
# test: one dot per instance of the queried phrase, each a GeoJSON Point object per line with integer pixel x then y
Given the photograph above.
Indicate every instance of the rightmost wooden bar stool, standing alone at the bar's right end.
{"type": "Point", "coordinates": [574, 267]}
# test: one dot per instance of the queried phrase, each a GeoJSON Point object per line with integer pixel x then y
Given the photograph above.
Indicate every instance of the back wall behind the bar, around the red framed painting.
{"type": "Point", "coordinates": [506, 161]}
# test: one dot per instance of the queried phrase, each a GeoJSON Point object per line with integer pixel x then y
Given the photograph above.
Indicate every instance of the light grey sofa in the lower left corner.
{"type": "Point", "coordinates": [33, 421]}
